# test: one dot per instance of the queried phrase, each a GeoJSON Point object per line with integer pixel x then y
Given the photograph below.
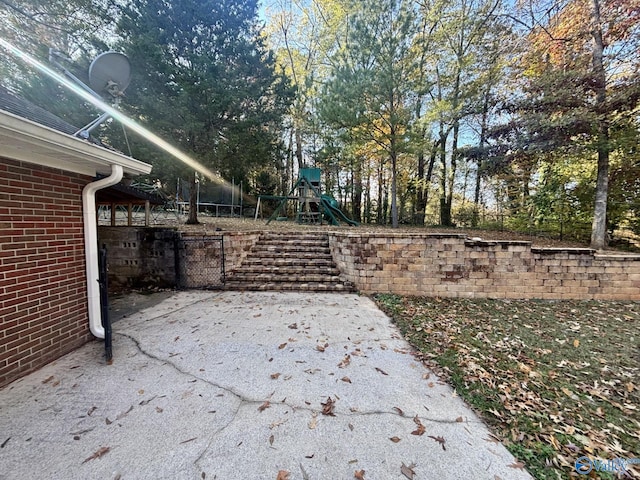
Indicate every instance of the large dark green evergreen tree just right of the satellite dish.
{"type": "Point", "coordinates": [205, 80]}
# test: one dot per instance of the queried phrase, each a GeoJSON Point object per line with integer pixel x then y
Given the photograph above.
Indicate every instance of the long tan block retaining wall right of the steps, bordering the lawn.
{"type": "Point", "coordinates": [452, 265]}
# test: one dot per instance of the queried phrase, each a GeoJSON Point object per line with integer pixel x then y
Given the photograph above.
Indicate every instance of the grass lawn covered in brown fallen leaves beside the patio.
{"type": "Point", "coordinates": [555, 380]}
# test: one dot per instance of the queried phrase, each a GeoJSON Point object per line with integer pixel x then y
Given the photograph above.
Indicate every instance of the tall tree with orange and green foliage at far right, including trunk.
{"type": "Point", "coordinates": [581, 82]}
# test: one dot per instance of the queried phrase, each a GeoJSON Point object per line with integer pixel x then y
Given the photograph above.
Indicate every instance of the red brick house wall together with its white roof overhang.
{"type": "Point", "coordinates": [44, 299]}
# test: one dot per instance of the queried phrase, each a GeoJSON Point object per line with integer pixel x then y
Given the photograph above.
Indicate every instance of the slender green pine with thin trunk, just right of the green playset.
{"type": "Point", "coordinates": [368, 91]}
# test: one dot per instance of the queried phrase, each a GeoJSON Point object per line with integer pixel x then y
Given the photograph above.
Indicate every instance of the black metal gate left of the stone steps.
{"type": "Point", "coordinates": [200, 262]}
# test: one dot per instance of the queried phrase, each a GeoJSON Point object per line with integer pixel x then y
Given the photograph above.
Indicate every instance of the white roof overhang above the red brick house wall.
{"type": "Point", "coordinates": [24, 140]}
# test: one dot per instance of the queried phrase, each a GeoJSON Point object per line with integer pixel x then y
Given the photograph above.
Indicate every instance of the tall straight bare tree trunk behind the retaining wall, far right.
{"type": "Point", "coordinates": [599, 225]}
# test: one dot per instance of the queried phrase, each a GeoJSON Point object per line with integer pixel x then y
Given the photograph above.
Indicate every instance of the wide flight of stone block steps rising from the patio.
{"type": "Point", "coordinates": [289, 262]}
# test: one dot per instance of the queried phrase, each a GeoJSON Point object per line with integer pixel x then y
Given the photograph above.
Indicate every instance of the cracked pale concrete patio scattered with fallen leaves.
{"type": "Point", "coordinates": [228, 385]}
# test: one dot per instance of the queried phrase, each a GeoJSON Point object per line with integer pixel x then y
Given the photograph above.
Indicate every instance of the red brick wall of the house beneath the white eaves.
{"type": "Point", "coordinates": [43, 307]}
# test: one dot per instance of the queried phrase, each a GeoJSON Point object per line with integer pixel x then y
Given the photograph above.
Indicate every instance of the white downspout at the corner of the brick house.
{"type": "Point", "coordinates": [91, 246]}
